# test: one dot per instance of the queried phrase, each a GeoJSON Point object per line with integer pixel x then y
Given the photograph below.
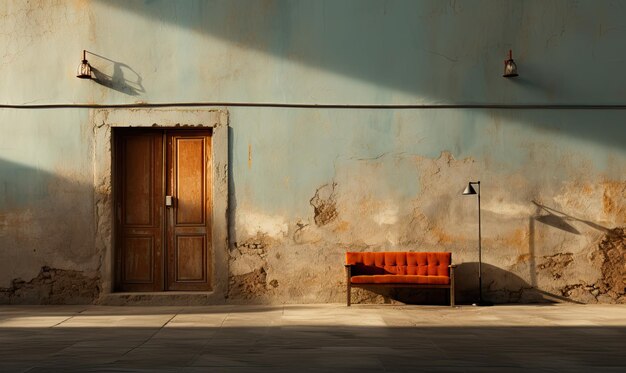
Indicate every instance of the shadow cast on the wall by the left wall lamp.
{"type": "Point", "coordinates": [122, 78]}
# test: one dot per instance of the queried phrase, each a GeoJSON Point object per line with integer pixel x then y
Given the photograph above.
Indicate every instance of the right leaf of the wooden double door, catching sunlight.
{"type": "Point", "coordinates": [188, 225]}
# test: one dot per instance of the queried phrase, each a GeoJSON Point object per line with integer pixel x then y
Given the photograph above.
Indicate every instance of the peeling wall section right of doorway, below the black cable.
{"type": "Point", "coordinates": [552, 199]}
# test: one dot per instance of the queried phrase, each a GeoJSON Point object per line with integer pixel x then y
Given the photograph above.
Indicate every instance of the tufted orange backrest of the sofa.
{"type": "Point", "coordinates": [400, 263]}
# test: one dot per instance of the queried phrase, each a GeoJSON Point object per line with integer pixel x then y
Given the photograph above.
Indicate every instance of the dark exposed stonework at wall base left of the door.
{"type": "Point", "coordinates": [53, 286]}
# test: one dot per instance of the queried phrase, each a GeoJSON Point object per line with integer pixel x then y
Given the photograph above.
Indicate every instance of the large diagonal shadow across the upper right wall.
{"type": "Point", "coordinates": [432, 55]}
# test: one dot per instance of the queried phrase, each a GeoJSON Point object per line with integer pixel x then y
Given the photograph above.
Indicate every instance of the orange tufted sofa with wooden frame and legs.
{"type": "Point", "coordinates": [400, 269]}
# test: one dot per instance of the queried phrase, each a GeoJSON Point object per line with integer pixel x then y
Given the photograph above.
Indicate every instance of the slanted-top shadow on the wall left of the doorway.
{"type": "Point", "coordinates": [46, 236]}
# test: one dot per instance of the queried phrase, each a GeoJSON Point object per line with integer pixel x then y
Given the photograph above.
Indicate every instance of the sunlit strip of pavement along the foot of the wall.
{"type": "Point", "coordinates": [333, 316]}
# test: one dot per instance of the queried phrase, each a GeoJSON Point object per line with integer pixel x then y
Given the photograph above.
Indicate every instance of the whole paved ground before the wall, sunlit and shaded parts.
{"type": "Point", "coordinates": [320, 337]}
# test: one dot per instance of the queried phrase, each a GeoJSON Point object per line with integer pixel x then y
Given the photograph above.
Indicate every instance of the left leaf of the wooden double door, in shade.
{"type": "Point", "coordinates": [139, 210]}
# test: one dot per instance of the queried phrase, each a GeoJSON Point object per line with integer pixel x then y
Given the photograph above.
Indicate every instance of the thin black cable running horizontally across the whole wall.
{"type": "Point", "coordinates": [316, 106]}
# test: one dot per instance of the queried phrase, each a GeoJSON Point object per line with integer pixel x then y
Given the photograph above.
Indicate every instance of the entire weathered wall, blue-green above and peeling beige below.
{"type": "Point", "coordinates": [308, 184]}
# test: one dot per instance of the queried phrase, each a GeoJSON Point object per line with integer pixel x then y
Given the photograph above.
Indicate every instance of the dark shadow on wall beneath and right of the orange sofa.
{"type": "Point", "coordinates": [510, 288]}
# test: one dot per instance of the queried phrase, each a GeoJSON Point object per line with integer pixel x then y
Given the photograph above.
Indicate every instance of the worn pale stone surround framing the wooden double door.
{"type": "Point", "coordinates": [102, 122]}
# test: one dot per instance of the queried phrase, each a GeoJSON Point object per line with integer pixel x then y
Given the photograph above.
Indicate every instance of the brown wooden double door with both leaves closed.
{"type": "Point", "coordinates": [163, 209]}
